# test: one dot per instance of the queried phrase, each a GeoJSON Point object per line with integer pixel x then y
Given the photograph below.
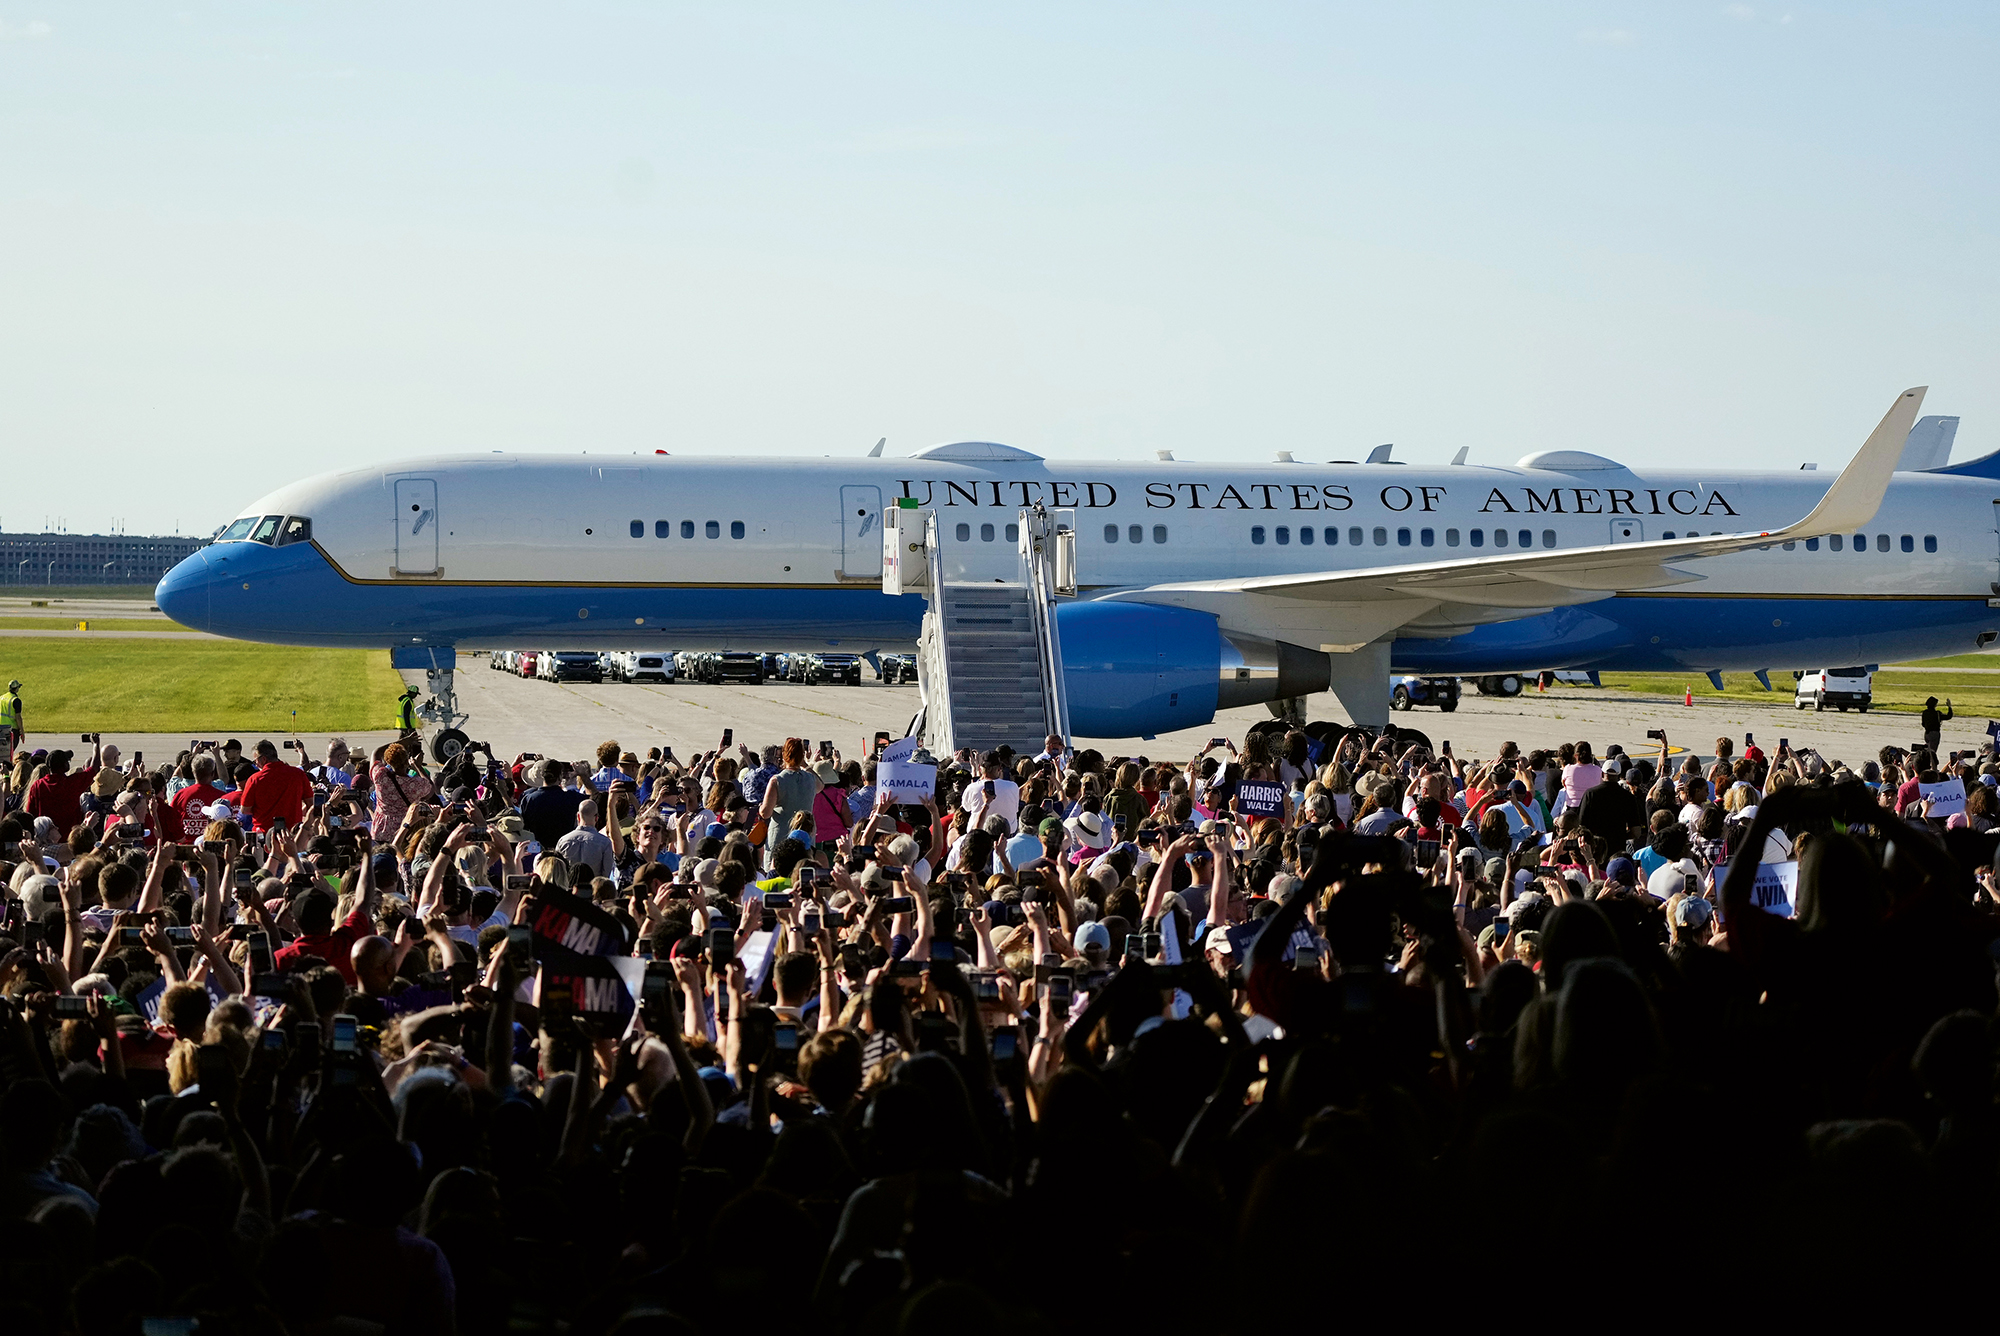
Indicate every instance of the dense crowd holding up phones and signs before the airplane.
{"type": "Point", "coordinates": [1311, 1025]}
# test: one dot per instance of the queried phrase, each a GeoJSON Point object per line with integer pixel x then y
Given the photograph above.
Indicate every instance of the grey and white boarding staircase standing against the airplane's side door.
{"type": "Point", "coordinates": [989, 661]}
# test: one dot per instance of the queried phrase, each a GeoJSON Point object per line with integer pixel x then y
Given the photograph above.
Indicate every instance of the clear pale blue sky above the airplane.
{"type": "Point", "coordinates": [243, 243]}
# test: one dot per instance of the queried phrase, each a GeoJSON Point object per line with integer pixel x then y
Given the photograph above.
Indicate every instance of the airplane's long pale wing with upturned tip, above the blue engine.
{"type": "Point", "coordinates": [1551, 577]}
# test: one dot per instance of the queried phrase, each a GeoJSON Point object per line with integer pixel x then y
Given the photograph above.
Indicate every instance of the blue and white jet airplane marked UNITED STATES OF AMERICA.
{"type": "Point", "coordinates": [1201, 587]}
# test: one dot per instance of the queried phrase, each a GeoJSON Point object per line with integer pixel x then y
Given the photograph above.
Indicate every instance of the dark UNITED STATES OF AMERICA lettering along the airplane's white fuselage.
{"type": "Point", "coordinates": [991, 493]}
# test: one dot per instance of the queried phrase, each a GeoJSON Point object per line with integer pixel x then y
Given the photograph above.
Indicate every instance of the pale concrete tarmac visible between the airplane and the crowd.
{"type": "Point", "coordinates": [523, 715]}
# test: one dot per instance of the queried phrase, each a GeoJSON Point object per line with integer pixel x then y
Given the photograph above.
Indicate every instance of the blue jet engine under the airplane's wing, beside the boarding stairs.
{"type": "Point", "coordinates": [1139, 671]}
